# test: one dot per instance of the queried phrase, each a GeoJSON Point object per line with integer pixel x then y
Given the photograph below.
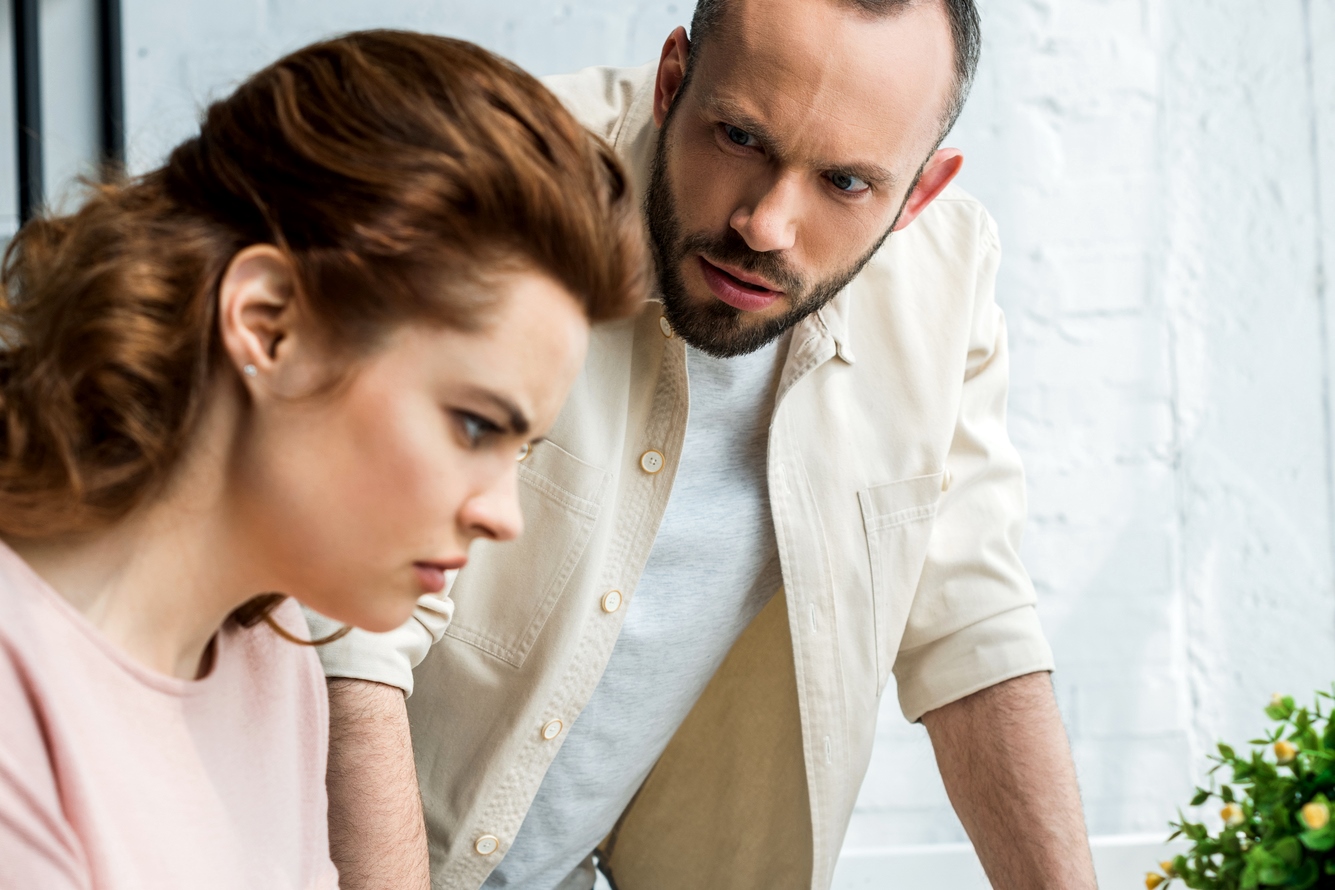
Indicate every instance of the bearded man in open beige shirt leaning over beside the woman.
{"type": "Point", "coordinates": [782, 484]}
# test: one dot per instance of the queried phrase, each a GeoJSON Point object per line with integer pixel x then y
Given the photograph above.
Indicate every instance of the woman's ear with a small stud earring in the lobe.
{"type": "Point", "coordinates": [256, 310]}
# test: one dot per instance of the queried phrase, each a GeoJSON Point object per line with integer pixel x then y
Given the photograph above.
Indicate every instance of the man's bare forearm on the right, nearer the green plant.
{"type": "Point", "coordinates": [1007, 768]}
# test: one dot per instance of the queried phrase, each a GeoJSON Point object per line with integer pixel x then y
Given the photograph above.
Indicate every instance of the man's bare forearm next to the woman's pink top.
{"type": "Point", "coordinates": [377, 833]}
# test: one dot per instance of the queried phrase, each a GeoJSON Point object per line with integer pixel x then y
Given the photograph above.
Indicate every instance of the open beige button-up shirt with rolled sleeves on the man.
{"type": "Point", "coordinates": [898, 504]}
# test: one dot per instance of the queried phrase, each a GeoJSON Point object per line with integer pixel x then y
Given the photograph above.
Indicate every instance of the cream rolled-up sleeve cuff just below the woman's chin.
{"type": "Point", "coordinates": [384, 658]}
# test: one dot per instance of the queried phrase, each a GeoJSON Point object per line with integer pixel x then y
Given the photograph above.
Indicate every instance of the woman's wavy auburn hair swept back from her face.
{"type": "Point", "coordinates": [397, 171]}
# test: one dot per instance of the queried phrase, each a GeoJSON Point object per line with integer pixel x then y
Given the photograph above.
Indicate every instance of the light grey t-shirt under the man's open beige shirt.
{"type": "Point", "coordinates": [714, 568]}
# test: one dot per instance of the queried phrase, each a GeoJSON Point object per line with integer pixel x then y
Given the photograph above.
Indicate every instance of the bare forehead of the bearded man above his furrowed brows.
{"type": "Point", "coordinates": [831, 78]}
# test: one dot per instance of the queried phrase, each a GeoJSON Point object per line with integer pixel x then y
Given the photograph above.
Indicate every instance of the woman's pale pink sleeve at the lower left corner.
{"type": "Point", "coordinates": [38, 847]}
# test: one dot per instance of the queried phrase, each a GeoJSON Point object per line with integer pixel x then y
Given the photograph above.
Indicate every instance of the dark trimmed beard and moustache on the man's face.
{"type": "Point", "coordinates": [716, 328]}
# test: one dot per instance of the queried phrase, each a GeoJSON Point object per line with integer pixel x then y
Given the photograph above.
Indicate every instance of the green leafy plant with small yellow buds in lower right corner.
{"type": "Point", "coordinates": [1277, 811]}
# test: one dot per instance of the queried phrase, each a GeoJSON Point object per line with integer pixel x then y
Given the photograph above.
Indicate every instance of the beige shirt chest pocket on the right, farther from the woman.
{"type": "Point", "coordinates": [898, 518]}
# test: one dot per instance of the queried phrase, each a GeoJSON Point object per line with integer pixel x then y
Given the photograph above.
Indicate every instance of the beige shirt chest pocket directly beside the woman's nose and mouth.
{"type": "Point", "coordinates": [505, 596]}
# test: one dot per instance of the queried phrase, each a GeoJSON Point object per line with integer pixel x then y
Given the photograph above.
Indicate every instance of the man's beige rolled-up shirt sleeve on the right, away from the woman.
{"type": "Point", "coordinates": [974, 622]}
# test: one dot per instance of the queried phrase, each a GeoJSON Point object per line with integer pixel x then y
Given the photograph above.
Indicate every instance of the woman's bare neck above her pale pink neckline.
{"type": "Point", "coordinates": [161, 582]}
